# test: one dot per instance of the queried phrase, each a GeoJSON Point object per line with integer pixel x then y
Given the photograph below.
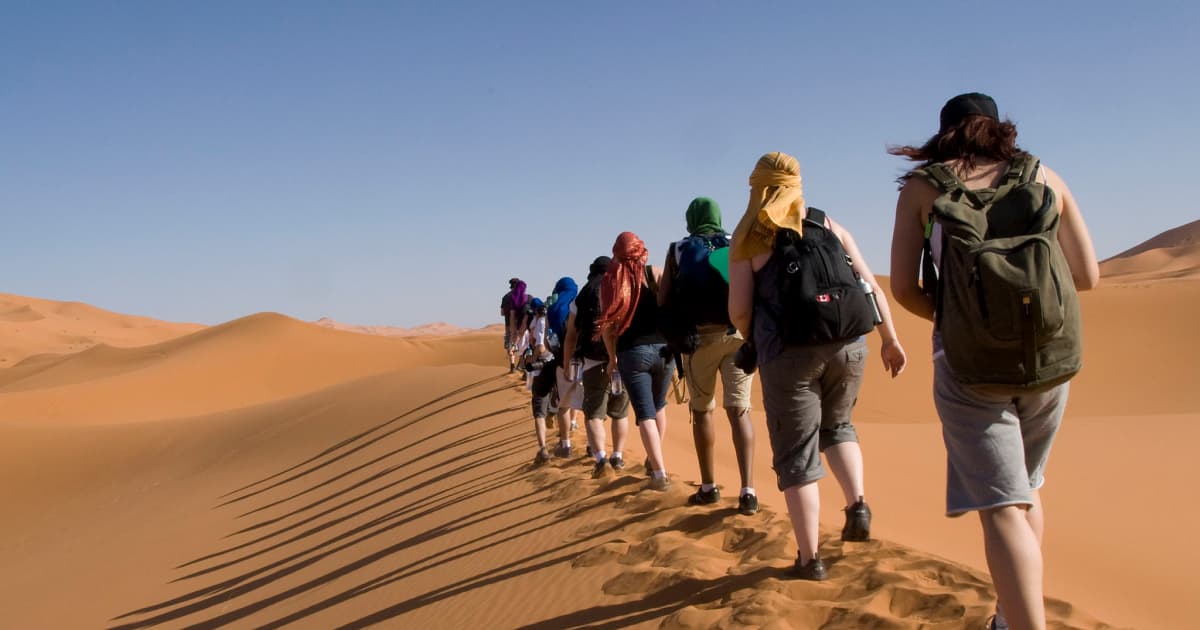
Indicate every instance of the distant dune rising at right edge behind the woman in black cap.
{"type": "Point", "coordinates": [1173, 255]}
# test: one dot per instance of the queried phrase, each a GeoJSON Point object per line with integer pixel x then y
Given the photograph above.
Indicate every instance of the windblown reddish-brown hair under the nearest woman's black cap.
{"type": "Point", "coordinates": [974, 137]}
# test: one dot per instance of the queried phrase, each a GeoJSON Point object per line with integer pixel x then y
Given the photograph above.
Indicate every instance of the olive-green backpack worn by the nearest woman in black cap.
{"type": "Point", "coordinates": [1006, 302]}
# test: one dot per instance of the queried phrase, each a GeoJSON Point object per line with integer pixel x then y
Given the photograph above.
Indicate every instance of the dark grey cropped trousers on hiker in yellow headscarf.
{"type": "Point", "coordinates": [809, 393]}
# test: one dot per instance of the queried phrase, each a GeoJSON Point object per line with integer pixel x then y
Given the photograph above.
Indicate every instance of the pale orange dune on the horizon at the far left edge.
{"type": "Point", "coordinates": [33, 326]}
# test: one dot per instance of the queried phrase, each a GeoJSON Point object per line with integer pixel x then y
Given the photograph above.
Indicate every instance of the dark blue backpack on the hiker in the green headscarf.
{"type": "Point", "coordinates": [700, 295]}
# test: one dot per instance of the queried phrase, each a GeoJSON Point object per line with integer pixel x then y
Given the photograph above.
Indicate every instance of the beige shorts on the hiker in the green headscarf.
{"type": "Point", "coordinates": [716, 357]}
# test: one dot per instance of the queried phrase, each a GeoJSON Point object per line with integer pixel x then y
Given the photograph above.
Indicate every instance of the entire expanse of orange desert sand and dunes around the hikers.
{"type": "Point", "coordinates": [271, 472]}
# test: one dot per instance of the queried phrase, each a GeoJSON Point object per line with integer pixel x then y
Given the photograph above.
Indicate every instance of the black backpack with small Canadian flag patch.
{"type": "Point", "coordinates": [820, 297]}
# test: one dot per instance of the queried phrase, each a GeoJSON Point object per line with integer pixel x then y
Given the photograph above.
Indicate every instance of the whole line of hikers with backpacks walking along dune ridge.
{"type": "Point", "coordinates": [988, 244]}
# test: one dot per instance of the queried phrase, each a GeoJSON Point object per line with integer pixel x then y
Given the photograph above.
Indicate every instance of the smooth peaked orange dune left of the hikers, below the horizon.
{"type": "Point", "coordinates": [247, 362]}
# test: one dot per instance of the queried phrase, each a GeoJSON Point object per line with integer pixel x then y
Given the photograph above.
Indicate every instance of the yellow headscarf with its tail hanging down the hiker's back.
{"type": "Point", "coordinates": [777, 201]}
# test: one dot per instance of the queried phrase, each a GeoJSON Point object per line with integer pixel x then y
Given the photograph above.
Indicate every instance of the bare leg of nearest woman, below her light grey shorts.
{"type": "Point", "coordinates": [1015, 560]}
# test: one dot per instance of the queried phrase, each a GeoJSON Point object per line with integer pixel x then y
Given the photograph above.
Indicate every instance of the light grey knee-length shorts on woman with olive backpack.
{"type": "Point", "coordinates": [997, 445]}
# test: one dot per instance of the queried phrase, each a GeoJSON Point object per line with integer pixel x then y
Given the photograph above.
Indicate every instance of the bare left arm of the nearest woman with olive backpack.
{"type": "Point", "coordinates": [908, 242]}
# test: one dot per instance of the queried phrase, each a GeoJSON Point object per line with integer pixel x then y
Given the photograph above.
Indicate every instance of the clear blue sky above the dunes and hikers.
{"type": "Point", "coordinates": [398, 163]}
